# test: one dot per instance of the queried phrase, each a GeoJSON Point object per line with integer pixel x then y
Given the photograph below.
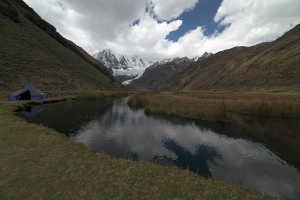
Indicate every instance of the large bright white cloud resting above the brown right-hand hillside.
{"type": "Point", "coordinates": [248, 23]}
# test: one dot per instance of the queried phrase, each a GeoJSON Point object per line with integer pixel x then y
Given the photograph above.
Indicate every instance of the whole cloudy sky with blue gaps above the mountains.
{"type": "Point", "coordinates": [158, 29]}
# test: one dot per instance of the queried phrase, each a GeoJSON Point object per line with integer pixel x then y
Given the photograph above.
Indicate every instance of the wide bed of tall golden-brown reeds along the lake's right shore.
{"type": "Point", "coordinates": [216, 107]}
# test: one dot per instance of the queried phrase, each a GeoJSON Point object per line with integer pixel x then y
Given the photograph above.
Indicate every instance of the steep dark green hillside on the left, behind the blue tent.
{"type": "Point", "coordinates": [32, 51]}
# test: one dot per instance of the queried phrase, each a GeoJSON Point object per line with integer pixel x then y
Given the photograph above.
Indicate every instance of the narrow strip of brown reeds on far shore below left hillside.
{"type": "Point", "coordinates": [99, 95]}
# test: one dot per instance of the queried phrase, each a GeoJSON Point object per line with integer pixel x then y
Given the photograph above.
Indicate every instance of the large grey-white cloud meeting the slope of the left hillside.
{"type": "Point", "coordinates": [93, 24]}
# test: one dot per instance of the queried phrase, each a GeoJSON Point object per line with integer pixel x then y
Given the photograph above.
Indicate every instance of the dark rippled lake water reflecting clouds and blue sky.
{"type": "Point", "coordinates": [258, 153]}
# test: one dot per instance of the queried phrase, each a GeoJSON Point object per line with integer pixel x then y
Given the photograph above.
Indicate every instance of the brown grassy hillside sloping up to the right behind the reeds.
{"type": "Point", "coordinates": [268, 66]}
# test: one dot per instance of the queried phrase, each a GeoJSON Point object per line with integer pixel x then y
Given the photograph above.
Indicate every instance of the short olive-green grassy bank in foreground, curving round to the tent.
{"type": "Point", "coordinates": [39, 163]}
